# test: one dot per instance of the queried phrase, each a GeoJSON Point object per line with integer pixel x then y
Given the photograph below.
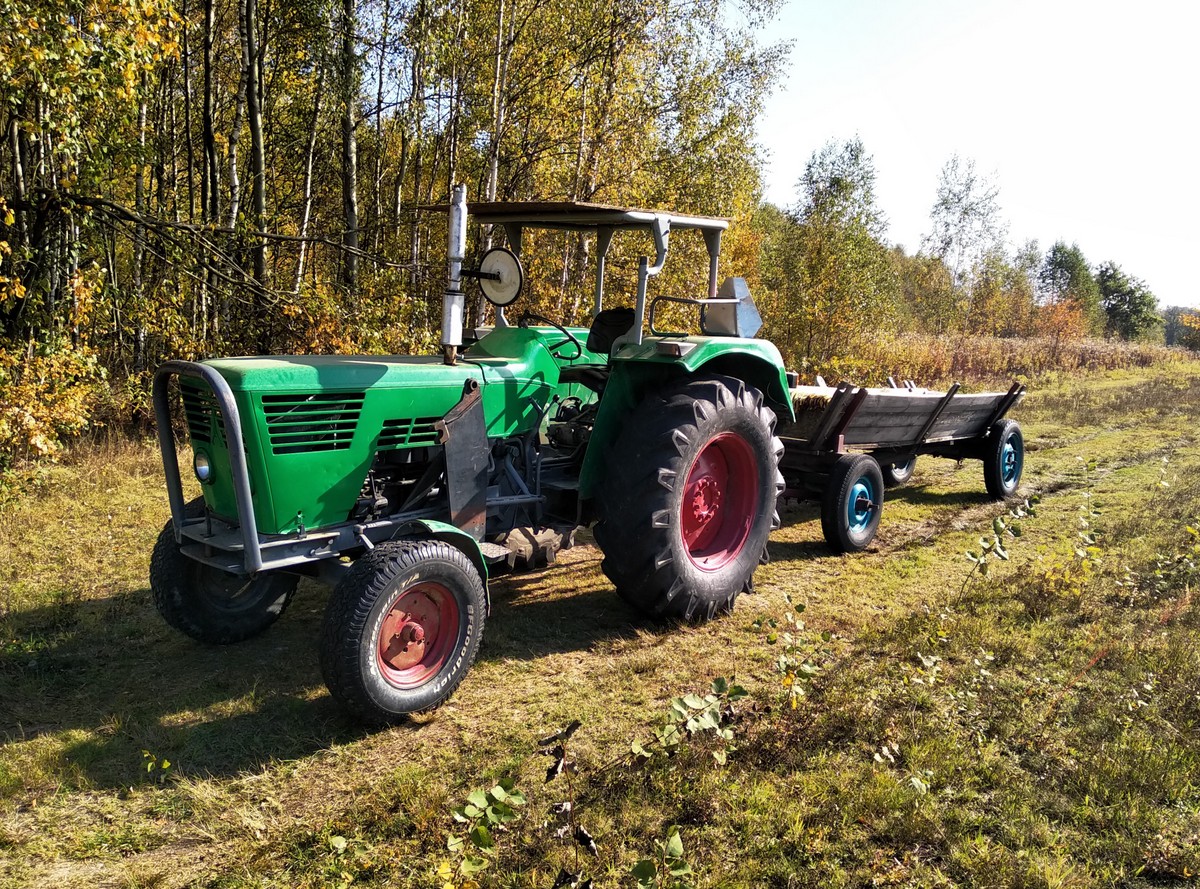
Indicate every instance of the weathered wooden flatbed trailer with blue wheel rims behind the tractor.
{"type": "Point", "coordinates": [849, 443]}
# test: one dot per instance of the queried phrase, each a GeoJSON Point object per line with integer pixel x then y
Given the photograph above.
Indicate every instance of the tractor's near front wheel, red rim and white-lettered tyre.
{"type": "Point", "coordinates": [403, 629]}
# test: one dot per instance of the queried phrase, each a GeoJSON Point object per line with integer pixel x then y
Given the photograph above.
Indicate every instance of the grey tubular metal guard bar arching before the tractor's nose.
{"type": "Point", "coordinates": [227, 409]}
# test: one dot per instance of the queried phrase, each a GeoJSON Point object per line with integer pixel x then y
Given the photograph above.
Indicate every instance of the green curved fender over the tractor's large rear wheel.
{"type": "Point", "coordinates": [640, 370]}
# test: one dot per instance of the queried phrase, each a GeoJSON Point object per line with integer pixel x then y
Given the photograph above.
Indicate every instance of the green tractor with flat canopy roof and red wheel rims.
{"type": "Point", "coordinates": [400, 480]}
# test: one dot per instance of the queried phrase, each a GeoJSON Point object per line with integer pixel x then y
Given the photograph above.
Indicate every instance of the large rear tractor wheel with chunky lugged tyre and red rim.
{"type": "Point", "coordinates": [691, 498]}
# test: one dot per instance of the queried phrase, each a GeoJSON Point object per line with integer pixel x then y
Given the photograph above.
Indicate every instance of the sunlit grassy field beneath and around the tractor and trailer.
{"type": "Point", "coordinates": [1039, 726]}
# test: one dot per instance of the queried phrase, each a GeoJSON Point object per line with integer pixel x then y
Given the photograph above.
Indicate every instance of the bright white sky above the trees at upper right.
{"type": "Point", "coordinates": [1085, 115]}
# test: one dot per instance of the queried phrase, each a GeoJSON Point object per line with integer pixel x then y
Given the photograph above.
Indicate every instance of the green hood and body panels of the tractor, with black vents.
{"type": "Point", "coordinates": [314, 424]}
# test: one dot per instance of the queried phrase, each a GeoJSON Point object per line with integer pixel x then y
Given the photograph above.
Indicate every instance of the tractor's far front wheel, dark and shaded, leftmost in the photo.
{"type": "Point", "coordinates": [212, 605]}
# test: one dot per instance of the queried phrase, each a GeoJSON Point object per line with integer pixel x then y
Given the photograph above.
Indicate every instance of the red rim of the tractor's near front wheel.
{"type": "Point", "coordinates": [418, 635]}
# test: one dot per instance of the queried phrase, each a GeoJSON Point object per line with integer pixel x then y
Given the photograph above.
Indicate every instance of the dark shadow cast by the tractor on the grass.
{"type": "Point", "coordinates": [88, 688]}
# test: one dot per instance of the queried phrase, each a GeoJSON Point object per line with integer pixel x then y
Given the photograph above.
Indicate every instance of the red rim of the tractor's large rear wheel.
{"type": "Point", "coordinates": [719, 502]}
